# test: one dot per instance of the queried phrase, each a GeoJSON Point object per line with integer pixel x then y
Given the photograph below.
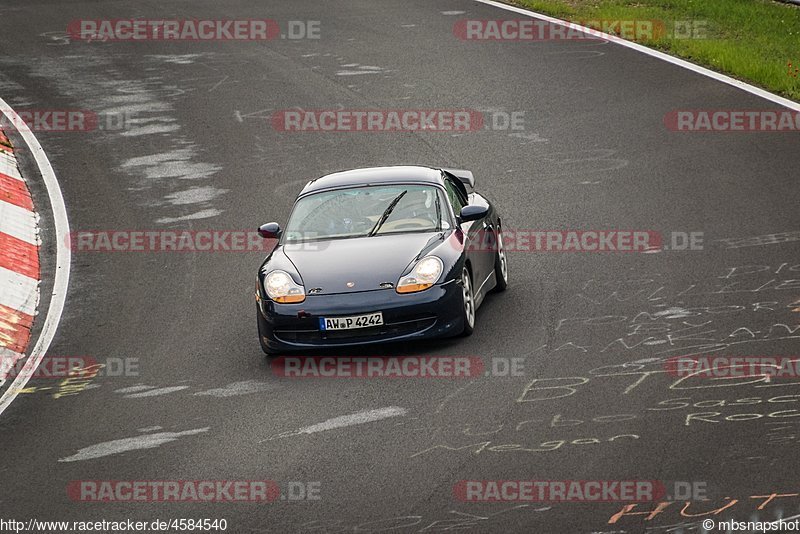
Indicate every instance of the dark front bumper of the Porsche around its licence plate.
{"type": "Point", "coordinates": [435, 312]}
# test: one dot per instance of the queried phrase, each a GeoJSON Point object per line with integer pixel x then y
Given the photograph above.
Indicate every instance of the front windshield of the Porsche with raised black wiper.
{"type": "Point", "coordinates": [367, 211]}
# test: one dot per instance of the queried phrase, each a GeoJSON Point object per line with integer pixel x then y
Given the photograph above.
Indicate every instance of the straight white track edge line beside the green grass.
{"type": "Point", "coordinates": [757, 91]}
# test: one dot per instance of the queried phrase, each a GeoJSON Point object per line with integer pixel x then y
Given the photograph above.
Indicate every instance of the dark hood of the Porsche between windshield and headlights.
{"type": "Point", "coordinates": [366, 262]}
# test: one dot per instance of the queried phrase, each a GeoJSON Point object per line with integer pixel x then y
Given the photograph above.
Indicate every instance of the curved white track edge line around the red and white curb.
{"type": "Point", "coordinates": [63, 259]}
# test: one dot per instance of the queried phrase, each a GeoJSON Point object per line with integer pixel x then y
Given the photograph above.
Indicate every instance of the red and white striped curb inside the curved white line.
{"type": "Point", "coordinates": [19, 261]}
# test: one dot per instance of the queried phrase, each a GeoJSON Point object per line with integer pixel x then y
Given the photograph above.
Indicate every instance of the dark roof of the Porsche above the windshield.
{"type": "Point", "coordinates": [375, 176]}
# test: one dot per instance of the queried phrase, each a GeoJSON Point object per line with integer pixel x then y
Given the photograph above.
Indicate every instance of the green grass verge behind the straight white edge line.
{"type": "Point", "coordinates": [752, 40]}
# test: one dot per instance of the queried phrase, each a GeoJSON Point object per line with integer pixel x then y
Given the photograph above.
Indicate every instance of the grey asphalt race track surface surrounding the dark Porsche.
{"type": "Point", "coordinates": [202, 153]}
